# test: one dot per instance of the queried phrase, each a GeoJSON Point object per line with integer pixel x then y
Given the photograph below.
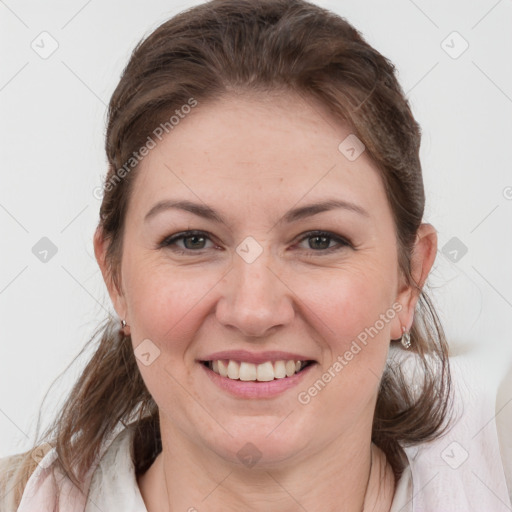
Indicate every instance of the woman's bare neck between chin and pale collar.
{"type": "Point", "coordinates": [345, 476]}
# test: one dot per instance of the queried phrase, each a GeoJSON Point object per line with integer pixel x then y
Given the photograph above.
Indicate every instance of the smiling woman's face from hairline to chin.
{"type": "Point", "coordinates": [260, 286]}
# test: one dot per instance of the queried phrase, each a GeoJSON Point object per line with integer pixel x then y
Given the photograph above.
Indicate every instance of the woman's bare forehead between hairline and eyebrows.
{"type": "Point", "coordinates": [257, 150]}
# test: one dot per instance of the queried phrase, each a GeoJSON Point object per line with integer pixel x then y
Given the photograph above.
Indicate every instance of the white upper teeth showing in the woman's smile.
{"type": "Point", "coordinates": [260, 372]}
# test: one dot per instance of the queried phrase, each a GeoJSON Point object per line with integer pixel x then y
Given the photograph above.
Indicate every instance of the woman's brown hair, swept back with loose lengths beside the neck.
{"type": "Point", "coordinates": [207, 52]}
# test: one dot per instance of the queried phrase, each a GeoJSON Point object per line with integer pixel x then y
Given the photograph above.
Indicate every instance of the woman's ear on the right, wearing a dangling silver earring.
{"type": "Point", "coordinates": [423, 257]}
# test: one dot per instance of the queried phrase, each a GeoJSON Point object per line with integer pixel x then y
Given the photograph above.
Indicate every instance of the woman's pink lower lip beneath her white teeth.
{"type": "Point", "coordinates": [251, 389]}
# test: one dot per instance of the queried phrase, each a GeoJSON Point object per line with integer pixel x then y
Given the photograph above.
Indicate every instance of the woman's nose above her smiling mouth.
{"type": "Point", "coordinates": [255, 299]}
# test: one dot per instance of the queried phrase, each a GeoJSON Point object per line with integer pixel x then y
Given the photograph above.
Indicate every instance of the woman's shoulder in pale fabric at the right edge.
{"type": "Point", "coordinates": [470, 466]}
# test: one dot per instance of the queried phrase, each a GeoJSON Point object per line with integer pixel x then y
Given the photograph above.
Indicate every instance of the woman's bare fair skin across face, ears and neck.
{"type": "Point", "coordinates": [253, 158]}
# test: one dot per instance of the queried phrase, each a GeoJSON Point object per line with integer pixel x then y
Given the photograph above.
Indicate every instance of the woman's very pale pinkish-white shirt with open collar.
{"type": "Point", "coordinates": [470, 469]}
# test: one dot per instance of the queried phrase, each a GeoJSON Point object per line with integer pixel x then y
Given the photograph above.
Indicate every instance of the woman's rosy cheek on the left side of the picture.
{"type": "Point", "coordinates": [167, 307]}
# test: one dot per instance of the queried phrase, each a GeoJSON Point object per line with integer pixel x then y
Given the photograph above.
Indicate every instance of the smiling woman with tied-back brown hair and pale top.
{"type": "Point", "coordinates": [261, 239]}
